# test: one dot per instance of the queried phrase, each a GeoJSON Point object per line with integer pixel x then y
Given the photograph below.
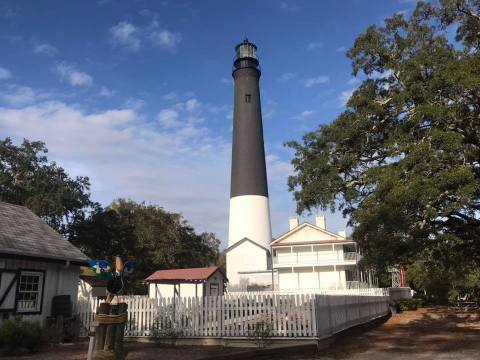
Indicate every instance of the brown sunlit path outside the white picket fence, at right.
{"type": "Point", "coordinates": [432, 333]}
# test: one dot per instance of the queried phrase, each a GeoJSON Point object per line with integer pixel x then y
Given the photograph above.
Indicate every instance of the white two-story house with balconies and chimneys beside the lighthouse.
{"type": "Point", "coordinates": [309, 257]}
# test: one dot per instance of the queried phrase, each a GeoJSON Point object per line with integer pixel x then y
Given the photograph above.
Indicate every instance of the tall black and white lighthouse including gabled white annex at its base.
{"type": "Point", "coordinates": [250, 234]}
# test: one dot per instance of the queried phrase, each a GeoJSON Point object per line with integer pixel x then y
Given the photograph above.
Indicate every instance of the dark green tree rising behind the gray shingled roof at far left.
{"type": "Point", "coordinates": [28, 178]}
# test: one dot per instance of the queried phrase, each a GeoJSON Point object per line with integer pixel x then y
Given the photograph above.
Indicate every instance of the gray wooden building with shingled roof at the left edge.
{"type": "Point", "coordinates": [36, 264]}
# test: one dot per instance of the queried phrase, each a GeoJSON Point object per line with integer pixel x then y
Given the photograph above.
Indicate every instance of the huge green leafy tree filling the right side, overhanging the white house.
{"type": "Point", "coordinates": [403, 160]}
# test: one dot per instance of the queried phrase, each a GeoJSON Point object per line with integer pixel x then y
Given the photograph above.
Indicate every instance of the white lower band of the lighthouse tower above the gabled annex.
{"type": "Point", "coordinates": [250, 218]}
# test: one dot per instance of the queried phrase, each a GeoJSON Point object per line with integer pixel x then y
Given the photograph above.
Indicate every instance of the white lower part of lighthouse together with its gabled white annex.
{"type": "Point", "coordinates": [250, 234]}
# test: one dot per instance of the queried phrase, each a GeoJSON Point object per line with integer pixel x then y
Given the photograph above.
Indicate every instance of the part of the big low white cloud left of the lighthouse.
{"type": "Point", "coordinates": [181, 168]}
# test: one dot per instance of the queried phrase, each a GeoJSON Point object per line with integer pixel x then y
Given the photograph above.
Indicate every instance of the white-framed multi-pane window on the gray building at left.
{"type": "Point", "coordinates": [30, 291]}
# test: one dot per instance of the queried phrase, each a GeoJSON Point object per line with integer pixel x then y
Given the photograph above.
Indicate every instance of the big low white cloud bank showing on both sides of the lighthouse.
{"type": "Point", "coordinates": [183, 167]}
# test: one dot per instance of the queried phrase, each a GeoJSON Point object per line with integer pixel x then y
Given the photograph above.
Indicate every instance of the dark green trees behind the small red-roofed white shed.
{"type": "Point", "coordinates": [151, 236]}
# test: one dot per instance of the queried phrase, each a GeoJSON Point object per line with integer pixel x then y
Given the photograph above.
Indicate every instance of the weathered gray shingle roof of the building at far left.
{"type": "Point", "coordinates": [22, 233]}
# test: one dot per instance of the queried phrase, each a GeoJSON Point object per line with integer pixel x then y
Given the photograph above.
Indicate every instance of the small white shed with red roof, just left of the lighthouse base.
{"type": "Point", "coordinates": [193, 282]}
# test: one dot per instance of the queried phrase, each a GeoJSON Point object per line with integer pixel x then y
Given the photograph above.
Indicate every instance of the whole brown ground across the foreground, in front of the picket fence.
{"type": "Point", "coordinates": [431, 333]}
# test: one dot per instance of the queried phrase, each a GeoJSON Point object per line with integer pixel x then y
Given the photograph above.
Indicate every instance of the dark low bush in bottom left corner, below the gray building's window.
{"type": "Point", "coordinates": [18, 336]}
